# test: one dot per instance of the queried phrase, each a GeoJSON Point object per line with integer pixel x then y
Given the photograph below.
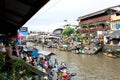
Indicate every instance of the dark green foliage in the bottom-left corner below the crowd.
{"type": "Point", "coordinates": [17, 66]}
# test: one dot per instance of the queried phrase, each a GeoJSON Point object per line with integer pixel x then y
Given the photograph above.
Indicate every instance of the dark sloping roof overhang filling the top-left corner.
{"type": "Point", "coordinates": [15, 13]}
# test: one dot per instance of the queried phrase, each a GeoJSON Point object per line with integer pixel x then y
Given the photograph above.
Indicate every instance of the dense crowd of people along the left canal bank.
{"type": "Point", "coordinates": [46, 64]}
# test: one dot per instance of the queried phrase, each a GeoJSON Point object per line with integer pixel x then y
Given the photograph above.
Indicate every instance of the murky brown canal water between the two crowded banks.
{"type": "Point", "coordinates": [88, 67]}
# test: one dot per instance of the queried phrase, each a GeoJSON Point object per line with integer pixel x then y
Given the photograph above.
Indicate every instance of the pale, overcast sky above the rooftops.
{"type": "Point", "coordinates": [52, 15]}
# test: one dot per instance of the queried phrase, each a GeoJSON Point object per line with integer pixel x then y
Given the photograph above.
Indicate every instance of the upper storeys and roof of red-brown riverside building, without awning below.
{"type": "Point", "coordinates": [103, 20]}
